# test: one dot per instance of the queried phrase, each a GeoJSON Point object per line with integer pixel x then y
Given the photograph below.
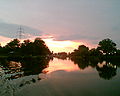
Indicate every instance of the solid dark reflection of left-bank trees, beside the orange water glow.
{"type": "Point", "coordinates": [33, 66]}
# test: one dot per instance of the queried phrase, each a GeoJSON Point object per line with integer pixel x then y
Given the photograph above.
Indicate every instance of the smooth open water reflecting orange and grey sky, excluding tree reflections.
{"type": "Point", "coordinates": [64, 81]}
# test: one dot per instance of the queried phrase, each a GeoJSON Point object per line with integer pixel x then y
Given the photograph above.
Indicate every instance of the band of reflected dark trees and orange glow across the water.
{"type": "Point", "coordinates": [33, 66]}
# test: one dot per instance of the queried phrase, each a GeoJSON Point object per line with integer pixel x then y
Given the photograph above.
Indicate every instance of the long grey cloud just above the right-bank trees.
{"type": "Point", "coordinates": [93, 37]}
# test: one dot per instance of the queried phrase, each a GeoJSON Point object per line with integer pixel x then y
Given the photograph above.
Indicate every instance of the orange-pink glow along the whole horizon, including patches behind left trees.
{"type": "Point", "coordinates": [53, 45]}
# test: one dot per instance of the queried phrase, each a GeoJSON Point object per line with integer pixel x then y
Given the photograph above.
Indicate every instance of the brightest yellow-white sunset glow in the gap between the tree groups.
{"type": "Point", "coordinates": [61, 46]}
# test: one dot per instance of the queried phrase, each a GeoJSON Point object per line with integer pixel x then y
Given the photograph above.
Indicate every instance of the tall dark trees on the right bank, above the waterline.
{"type": "Point", "coordinates": [105, 47]}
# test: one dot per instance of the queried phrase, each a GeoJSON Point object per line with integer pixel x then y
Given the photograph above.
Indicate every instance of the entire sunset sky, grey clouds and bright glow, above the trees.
{"type": "Point", "coordinates": [63, 24]}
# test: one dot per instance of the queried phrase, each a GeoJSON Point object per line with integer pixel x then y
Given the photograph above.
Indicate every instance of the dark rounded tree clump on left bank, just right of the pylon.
{"type": "Point", "coordinates": [38, 47]}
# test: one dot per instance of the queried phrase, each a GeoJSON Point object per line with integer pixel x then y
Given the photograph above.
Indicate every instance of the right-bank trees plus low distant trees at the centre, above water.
{"type": "Point", "coordinates": [106, 50]}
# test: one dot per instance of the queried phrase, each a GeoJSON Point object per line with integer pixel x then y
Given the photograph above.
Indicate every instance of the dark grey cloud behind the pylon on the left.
{"type": "Point", "coordinates": [11, 30]}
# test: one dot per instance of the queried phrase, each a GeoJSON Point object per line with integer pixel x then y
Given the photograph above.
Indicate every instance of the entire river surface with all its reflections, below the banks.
{"type": "Point", "coordinates": [58, 78]}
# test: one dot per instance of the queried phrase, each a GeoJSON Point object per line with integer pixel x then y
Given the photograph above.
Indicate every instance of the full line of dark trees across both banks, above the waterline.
{"type": "Point", "coordinates": [38, 49]}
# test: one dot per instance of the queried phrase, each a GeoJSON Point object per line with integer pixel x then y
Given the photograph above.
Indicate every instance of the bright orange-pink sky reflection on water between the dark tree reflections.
{"type": "Point", "coordinates": [64, 65]}
